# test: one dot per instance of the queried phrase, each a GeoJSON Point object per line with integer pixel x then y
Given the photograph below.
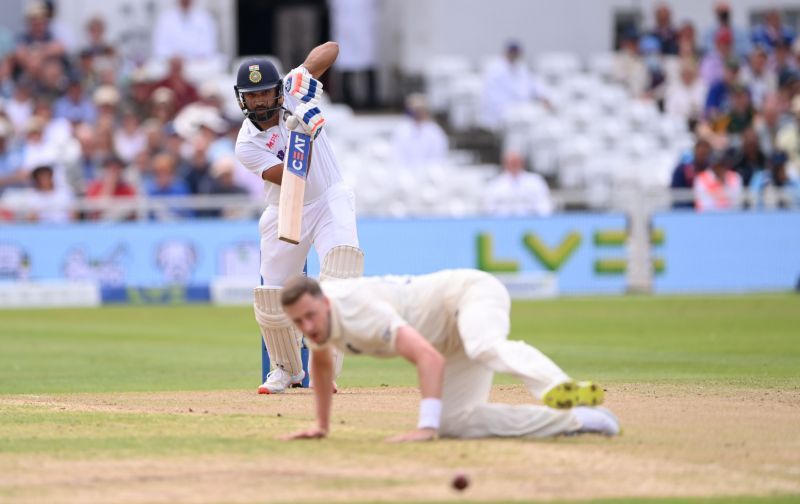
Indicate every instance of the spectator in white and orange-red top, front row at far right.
{"type": "Point", "coordinates": [719, 188]}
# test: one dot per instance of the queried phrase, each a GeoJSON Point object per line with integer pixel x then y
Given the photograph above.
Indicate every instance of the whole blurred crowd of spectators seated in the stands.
{"type": "Point", "coordinates": [82, 121]}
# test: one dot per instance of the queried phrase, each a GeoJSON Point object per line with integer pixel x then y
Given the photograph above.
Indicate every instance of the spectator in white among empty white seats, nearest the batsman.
{"type": "Point", "coordinates": [418, 140]}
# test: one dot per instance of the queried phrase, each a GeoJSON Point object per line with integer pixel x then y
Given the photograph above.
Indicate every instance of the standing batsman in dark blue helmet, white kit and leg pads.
{"type": "Point", "coordinates": [274, 107]}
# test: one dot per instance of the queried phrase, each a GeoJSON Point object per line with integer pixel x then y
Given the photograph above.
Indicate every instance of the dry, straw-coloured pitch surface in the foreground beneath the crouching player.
{"type": "Point", "coordinates": [678, 441]}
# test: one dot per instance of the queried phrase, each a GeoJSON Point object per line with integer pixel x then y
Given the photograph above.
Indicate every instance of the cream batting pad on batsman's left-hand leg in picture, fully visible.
{"type": "Point", "coordinates": [281, 338]}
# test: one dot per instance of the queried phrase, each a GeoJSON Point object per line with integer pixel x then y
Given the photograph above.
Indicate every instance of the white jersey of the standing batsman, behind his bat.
{"type": "Point", "coordinates": [258, 150]}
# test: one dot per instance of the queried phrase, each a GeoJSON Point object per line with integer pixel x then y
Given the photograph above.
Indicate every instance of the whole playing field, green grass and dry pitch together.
{"type": "Point", "coordinates": [157, 404]}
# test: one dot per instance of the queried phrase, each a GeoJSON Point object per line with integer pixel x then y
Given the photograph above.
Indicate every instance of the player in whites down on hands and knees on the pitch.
{"type": "Point", "coordinates": [453, 326]}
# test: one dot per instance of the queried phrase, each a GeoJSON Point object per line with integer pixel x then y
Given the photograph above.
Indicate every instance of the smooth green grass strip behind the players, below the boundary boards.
{"type": "Point", "coordinates": [742, 341]}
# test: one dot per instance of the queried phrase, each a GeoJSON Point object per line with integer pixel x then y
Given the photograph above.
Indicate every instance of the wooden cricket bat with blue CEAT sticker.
{"type": "Point", "coordinates": [293, 187]}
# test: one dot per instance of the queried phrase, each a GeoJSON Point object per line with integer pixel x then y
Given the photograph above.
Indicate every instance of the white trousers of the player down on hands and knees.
{"type": "Point", "coordinates": [483, 324]}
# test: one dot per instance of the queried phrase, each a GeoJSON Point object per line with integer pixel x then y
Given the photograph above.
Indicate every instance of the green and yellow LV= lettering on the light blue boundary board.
{"type": "Point", "coordinates": [553, 258]}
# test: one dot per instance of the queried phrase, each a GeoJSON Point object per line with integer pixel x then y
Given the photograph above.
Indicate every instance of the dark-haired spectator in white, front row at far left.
{"type": "Point", "coordinates": [45, 201]}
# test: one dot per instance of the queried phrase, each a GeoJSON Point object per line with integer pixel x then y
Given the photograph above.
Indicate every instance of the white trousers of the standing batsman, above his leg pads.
{"type": "Point", "coordinates": [328, 221]}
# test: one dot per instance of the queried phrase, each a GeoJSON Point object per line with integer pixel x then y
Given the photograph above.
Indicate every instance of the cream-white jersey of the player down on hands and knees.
{"type": "Point", "coordinates": [367, 312]}
